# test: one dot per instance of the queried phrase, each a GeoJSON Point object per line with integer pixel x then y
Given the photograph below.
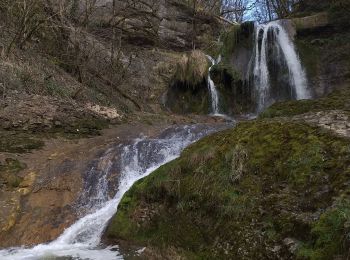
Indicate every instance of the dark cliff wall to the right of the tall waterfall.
{"type": "Point", "coordinates": [324, 50]}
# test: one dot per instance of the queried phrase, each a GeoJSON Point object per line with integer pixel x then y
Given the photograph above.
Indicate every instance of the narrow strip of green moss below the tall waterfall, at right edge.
{"type": "Point", "coordinates": [337, 100]}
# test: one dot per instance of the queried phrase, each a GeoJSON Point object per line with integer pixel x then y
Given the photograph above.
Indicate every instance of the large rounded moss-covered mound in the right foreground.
{"type": "Point", "coordinates": [263, 190]}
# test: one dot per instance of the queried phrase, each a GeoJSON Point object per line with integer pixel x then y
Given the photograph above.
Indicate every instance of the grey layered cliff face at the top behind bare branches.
{"type": "Point", "coordinates": [165, 23]}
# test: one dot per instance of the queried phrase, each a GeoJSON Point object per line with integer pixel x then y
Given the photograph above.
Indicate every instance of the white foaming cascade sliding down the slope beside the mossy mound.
{"type": "Point", "coordinates": [139, 159]}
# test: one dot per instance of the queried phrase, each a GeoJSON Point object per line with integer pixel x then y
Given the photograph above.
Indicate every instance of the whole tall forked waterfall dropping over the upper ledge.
{"type": "Point", "coordinates": [272, 42]}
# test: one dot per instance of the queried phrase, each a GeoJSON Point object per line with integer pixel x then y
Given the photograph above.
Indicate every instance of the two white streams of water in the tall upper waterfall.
{"type": "Point", "coordinates": [297, 76]}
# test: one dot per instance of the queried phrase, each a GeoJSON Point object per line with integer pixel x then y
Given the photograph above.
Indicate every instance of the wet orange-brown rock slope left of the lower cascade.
{"type": "Point", "coordinates": [68, 179]}
